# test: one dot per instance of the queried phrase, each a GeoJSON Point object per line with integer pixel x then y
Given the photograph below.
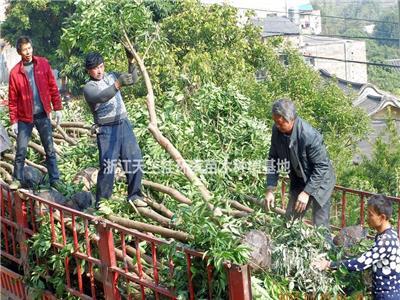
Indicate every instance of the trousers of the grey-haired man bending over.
{"type": "Point", "coordinates": [320, 215]}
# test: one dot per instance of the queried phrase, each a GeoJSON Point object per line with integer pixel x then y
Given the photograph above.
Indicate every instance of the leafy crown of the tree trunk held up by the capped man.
{"type": "Point", "coordinates": [97, 26]}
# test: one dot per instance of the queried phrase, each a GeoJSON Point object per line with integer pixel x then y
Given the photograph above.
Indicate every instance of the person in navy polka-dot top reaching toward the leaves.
{"type": "Point", "coordinates": [383, 257]}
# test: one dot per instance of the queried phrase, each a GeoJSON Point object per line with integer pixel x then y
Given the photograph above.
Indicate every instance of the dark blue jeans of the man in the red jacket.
{"type": "Point", "coordinates": [43, 125]}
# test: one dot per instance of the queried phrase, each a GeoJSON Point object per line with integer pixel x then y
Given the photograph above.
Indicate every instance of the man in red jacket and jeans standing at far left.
{"type": "Point", "coordinates": [33, 93]}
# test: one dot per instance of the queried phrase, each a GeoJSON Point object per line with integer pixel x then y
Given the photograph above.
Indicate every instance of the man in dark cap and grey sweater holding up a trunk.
{"type": "Point", "coordinates": [115, 137]}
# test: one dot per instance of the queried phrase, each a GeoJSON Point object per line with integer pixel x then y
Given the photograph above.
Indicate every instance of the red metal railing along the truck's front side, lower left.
{"type": "Point", "coordinates": [107, 261]}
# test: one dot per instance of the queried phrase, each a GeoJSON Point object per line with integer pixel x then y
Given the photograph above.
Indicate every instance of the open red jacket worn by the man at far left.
{"type": "Point", "coordinates": [20, 95]}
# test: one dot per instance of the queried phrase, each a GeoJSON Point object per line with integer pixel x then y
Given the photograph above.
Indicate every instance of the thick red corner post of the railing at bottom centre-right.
{"type": "Point", "coordinates": [239, 282]}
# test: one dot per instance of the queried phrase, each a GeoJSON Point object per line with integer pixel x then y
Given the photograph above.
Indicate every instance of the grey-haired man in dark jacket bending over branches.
{"type": "Point", "coordinates": [311, 174]}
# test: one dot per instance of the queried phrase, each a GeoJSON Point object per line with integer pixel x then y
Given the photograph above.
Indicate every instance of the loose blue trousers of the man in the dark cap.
{"type": "Point", "coordinates": [117, 141]}
